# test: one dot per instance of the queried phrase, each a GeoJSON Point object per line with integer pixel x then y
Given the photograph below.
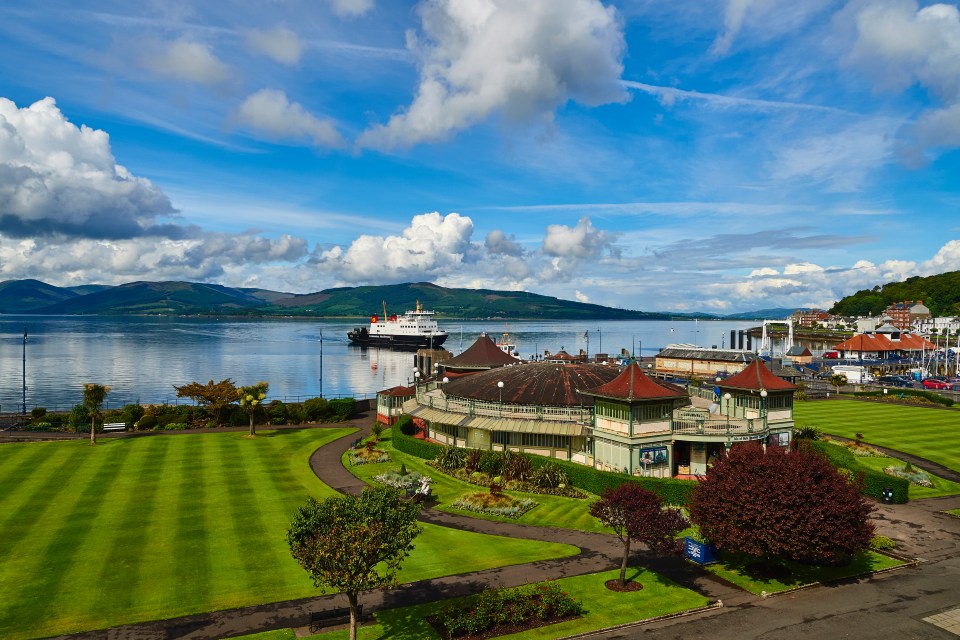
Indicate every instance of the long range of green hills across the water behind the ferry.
{"type": "Point", "coordinates": [190, 298]}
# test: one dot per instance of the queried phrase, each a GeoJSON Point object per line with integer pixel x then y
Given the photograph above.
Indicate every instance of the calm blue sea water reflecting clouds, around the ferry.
{"type": "Point", "coordinates": [142, 358]}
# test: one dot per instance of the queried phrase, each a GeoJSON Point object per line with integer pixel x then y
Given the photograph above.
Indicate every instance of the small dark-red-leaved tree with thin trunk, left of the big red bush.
{"type": "Point", "coordinates": [636, 514]}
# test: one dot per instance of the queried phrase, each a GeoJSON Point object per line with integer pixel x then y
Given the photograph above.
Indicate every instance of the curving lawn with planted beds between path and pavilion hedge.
{"type": "Point", "coordinates": [552, 511]}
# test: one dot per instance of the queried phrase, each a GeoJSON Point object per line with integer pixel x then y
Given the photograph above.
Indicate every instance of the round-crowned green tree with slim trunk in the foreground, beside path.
{"type": "Point", "coordinates": [354, 543]}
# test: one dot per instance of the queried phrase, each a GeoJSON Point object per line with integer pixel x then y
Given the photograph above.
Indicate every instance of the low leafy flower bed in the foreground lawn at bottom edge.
{"type": "Point", "coordinates": [500, 611]}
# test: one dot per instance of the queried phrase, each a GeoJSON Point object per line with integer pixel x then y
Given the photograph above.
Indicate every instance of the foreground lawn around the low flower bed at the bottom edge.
{"type": "Point", "coordinates": [604, 608]}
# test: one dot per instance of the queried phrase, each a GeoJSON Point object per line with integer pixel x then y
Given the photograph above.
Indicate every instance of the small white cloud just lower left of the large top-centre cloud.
{"type": "Point", "coordinates": [268, 112]}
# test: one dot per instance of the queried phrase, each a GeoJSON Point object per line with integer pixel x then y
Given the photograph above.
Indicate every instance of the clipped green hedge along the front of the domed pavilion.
{"type": "Point", "coordinates": [672, 492]}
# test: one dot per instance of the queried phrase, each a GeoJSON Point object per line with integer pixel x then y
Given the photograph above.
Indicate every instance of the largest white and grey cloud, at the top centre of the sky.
{"type": "Point", "coordinates": [518, 59]}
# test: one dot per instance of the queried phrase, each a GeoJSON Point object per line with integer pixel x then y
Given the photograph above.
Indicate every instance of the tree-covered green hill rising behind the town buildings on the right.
{"type": "Point", "coordinates": [940, 293]}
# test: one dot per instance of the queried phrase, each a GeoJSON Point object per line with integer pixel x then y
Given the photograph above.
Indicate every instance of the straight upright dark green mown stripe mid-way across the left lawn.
{"type": "Point", "coordinates": [190, 525]}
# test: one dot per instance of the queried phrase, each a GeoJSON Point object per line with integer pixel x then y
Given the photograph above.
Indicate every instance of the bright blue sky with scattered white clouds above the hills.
{"type": "Point", "coordinates": [702, 155]}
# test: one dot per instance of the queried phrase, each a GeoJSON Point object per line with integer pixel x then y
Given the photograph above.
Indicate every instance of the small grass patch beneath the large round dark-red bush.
{"type": "Point", "coordinates": [733, 569]}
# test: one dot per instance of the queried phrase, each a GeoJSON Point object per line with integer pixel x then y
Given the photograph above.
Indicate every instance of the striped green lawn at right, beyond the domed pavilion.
{"type": "Point", "coordinates": [933, 434]}
